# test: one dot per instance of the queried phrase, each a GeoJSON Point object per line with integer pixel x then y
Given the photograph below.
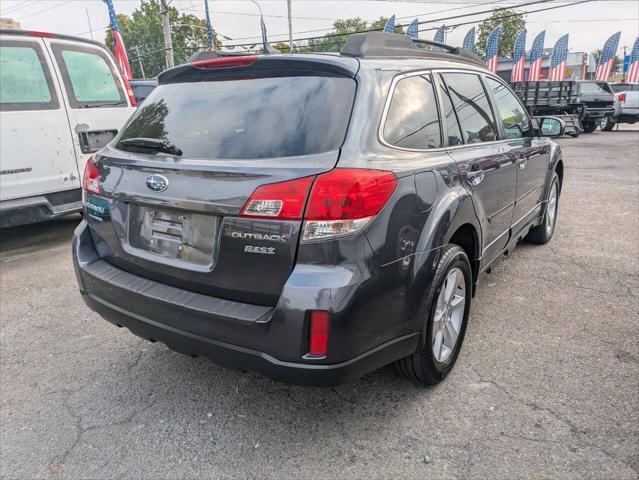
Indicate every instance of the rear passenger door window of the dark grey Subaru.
{"type": "Point", "coordinates": [473, 110]}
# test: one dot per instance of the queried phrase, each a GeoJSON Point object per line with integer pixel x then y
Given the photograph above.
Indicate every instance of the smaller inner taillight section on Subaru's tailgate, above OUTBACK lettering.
{"type": "Point", "coordinates": [284, 200]}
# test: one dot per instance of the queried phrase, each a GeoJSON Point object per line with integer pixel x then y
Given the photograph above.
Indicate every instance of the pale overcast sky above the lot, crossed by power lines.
{"type": "Point", "coordinates": [589, 24]}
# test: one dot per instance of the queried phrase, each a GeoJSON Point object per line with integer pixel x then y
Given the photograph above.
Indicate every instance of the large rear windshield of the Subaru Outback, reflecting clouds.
{"type": "Point", "coordinates": [248, 118]}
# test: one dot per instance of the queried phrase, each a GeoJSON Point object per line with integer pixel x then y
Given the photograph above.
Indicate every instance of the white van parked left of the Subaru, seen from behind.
{"type": "Point", "coordinates": [61, 99]}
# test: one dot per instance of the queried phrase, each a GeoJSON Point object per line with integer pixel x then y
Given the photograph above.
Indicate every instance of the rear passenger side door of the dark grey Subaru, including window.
{"type": "Point", "coordinates": [485, 163]}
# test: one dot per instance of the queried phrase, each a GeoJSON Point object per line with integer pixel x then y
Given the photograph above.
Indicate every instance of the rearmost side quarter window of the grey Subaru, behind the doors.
{"type": "Point", "coordinates": [412, 120]}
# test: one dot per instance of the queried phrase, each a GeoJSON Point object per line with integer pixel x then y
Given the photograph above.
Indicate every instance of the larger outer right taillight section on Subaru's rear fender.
{"type": "Point", "coordinates": [343, 201]}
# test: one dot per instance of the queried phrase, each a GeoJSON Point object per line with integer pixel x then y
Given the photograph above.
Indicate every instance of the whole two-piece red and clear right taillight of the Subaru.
{"type": "Point", "coordinates": [342, 201]}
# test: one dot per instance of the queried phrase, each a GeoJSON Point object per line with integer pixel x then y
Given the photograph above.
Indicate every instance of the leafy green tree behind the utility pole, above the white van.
{"type": "Point", "coordinates": [144, 38]}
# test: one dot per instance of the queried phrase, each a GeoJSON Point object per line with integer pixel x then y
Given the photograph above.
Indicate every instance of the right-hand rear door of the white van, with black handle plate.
{"type": "Point", "coordinates": [94, 92]}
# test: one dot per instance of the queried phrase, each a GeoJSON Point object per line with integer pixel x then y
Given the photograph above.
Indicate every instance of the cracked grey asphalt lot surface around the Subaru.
{"type": "Point", "coordinates": [546, 386]}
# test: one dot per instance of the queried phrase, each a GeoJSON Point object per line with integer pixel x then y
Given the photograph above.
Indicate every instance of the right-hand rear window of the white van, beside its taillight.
{"type": "Point", "coordinates": [89, 78]}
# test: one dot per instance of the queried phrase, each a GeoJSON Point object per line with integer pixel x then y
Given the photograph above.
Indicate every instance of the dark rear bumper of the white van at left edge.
{"type": "Point", "coordinates": [23, 211]}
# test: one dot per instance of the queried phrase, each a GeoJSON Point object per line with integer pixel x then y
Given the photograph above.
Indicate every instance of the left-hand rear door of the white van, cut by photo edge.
{"type": "Point", "coordinates": [36, 148]}
